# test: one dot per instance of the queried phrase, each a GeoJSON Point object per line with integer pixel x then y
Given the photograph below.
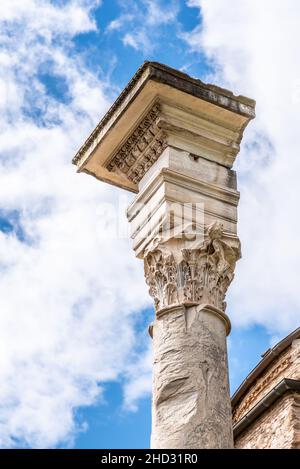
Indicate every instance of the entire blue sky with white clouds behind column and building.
{"type": "Point", "coordinates": [75, 357]}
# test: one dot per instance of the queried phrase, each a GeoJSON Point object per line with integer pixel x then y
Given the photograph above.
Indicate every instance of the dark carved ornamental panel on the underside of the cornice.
{"type": "Point", "coordinates": [141, 149]}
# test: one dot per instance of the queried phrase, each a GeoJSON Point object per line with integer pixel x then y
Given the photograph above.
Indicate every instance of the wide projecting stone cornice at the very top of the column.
{"type": "Point", "coordinates": [163, 107]}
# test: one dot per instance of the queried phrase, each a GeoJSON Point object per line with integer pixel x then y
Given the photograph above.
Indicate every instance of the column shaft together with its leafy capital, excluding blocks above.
{"type": "Point", "coordinates": [191, 405]}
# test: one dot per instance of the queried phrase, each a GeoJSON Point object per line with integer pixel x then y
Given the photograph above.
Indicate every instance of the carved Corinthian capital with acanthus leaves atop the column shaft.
{"type": "Point", "coordinates": [179, 275]}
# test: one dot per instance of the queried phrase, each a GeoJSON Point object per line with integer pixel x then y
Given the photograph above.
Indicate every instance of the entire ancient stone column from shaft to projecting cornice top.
{"type": "Point", "coordinates": [173, 140]}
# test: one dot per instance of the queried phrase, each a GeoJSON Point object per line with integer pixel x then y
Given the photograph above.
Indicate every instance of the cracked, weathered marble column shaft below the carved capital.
{"type": "Point", "coordinates": [191, 404]}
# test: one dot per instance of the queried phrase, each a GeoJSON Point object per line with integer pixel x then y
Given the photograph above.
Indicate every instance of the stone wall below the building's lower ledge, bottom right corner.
{"type": "Point", "coordinates": [278, 427]}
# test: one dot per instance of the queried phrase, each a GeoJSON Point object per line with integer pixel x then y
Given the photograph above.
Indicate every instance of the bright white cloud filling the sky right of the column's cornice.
{"type": "Point", "coordinates": [253, 46]}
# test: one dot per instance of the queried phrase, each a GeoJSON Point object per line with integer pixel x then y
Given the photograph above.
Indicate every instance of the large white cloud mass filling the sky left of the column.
{"type": "Point", "coordinates": [68, 299]}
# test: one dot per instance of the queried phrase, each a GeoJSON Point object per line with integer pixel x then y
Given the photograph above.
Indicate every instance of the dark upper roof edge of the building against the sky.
{"type": "Point", "coordinates": [268, 357]}
